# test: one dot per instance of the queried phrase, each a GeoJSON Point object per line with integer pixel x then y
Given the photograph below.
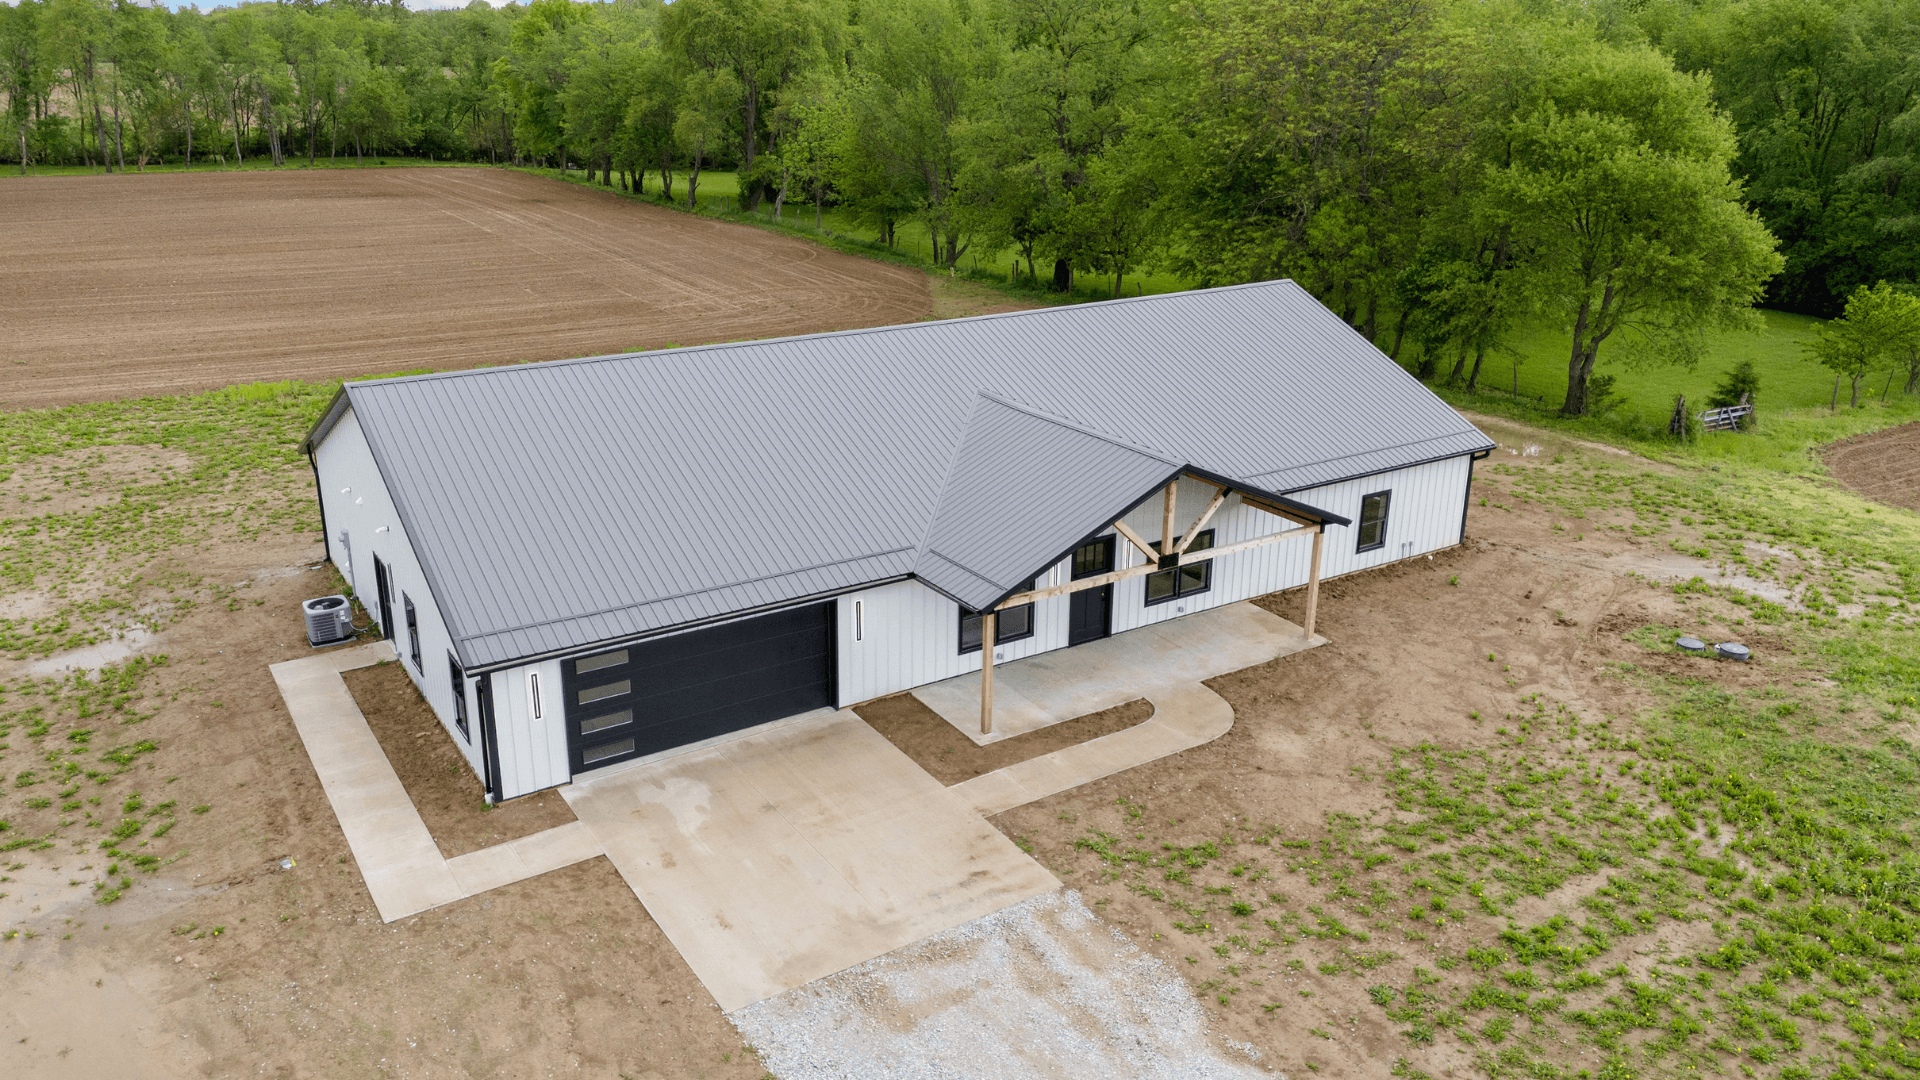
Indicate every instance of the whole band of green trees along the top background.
{"type": "Point", "coordinates": [1431, 170]}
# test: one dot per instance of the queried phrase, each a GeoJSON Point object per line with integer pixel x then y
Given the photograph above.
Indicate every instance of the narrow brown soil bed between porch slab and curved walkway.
{"type": "Point", "coordinates": [951, 758]}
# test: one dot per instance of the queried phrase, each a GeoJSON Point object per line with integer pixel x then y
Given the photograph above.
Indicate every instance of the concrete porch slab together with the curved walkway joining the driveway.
{"type": "Point", "coordinates": [1161, 664]}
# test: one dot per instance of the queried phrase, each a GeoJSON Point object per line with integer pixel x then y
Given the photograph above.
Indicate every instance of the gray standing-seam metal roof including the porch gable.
{"type": "Point", "coordinates": [564, 504]}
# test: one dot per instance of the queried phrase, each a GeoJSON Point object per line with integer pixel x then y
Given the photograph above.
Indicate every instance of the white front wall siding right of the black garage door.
{"type": "Point", "coordinates": [905, 635]}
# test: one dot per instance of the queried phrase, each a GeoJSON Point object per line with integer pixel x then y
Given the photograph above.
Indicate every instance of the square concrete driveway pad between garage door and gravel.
{"type": "Point", "coordinates": [800, 852]}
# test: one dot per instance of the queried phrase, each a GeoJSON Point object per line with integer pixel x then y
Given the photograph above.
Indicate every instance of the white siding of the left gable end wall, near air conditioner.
{"type": "Point", "coordinates": [364, 524]}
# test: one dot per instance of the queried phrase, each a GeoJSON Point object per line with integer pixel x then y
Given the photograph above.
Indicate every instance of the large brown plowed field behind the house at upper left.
{"type": "Point", "coordinates": [137, 285]}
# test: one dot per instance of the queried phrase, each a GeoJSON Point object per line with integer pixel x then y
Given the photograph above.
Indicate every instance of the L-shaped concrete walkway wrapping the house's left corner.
{"type": "Point", "coordinates": [391, 845]}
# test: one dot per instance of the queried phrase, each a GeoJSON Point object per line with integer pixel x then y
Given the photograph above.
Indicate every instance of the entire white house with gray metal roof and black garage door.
{"type": "Point", "coordinates": [598, 560]}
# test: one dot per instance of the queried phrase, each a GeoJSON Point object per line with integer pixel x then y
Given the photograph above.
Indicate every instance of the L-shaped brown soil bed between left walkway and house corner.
{"type": "Point", "coordinates": [439, 781]}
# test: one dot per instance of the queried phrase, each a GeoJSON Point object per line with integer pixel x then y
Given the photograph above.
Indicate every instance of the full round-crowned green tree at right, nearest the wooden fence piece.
{"type": "Point", "coordinates": [1620, 185]}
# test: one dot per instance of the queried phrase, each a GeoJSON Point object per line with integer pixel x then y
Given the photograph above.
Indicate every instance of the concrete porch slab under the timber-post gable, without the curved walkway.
{"type": "Point", "coordinates": [1034, 693]}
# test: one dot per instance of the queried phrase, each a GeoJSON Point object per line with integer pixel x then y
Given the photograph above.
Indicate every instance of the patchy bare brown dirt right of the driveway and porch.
{"type": "Point", "coordinates": [1406, 664]}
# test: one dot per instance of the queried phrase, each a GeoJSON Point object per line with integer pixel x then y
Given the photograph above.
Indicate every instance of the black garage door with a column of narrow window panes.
{"type": "Point", "coordinates": [660, 695]}
